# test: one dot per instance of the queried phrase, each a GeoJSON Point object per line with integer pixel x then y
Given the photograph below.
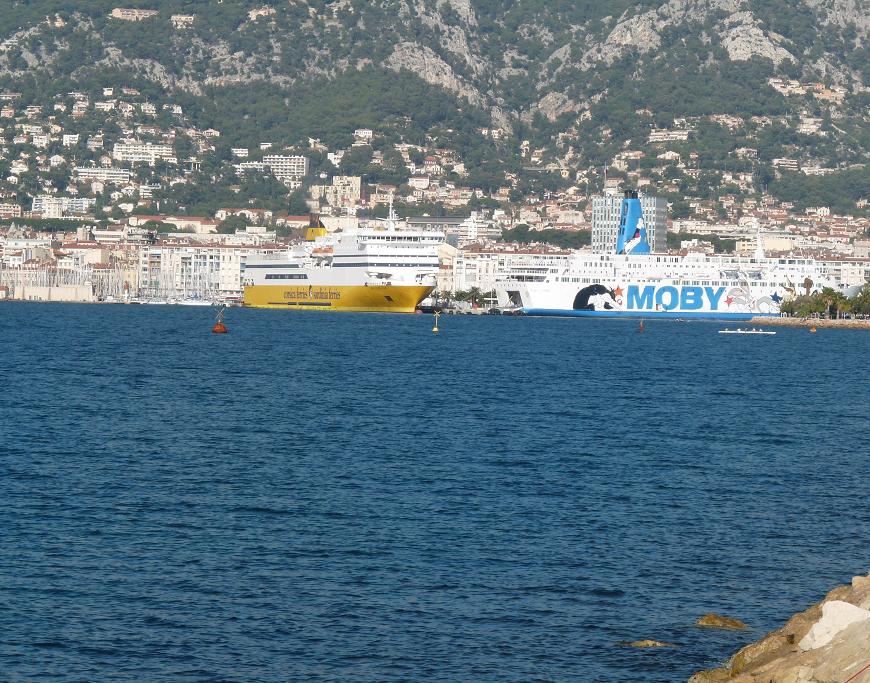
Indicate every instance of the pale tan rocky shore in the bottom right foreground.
{"type": "Point", "coordinates": [827, 643]}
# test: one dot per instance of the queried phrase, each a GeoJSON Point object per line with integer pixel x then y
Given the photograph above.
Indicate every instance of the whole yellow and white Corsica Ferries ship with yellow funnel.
{"type": "Point", "coordinates": [376, 268]}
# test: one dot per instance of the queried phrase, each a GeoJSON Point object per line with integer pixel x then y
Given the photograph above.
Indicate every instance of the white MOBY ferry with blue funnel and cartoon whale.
{"type": "Point", "coordinates": [632, 282]}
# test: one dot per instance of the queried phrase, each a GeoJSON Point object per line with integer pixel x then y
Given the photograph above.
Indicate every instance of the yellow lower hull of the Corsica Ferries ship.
{"type": "Point", "coordinates": [375, 298]}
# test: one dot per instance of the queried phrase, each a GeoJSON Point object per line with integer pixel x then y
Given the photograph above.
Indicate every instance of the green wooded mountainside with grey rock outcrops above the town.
{"type": "Point", "coordinates": [581, 80]}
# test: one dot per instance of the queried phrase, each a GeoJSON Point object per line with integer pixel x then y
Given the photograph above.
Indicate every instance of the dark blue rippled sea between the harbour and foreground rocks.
{"type": "Point", "coordinates": [341, 497]}
